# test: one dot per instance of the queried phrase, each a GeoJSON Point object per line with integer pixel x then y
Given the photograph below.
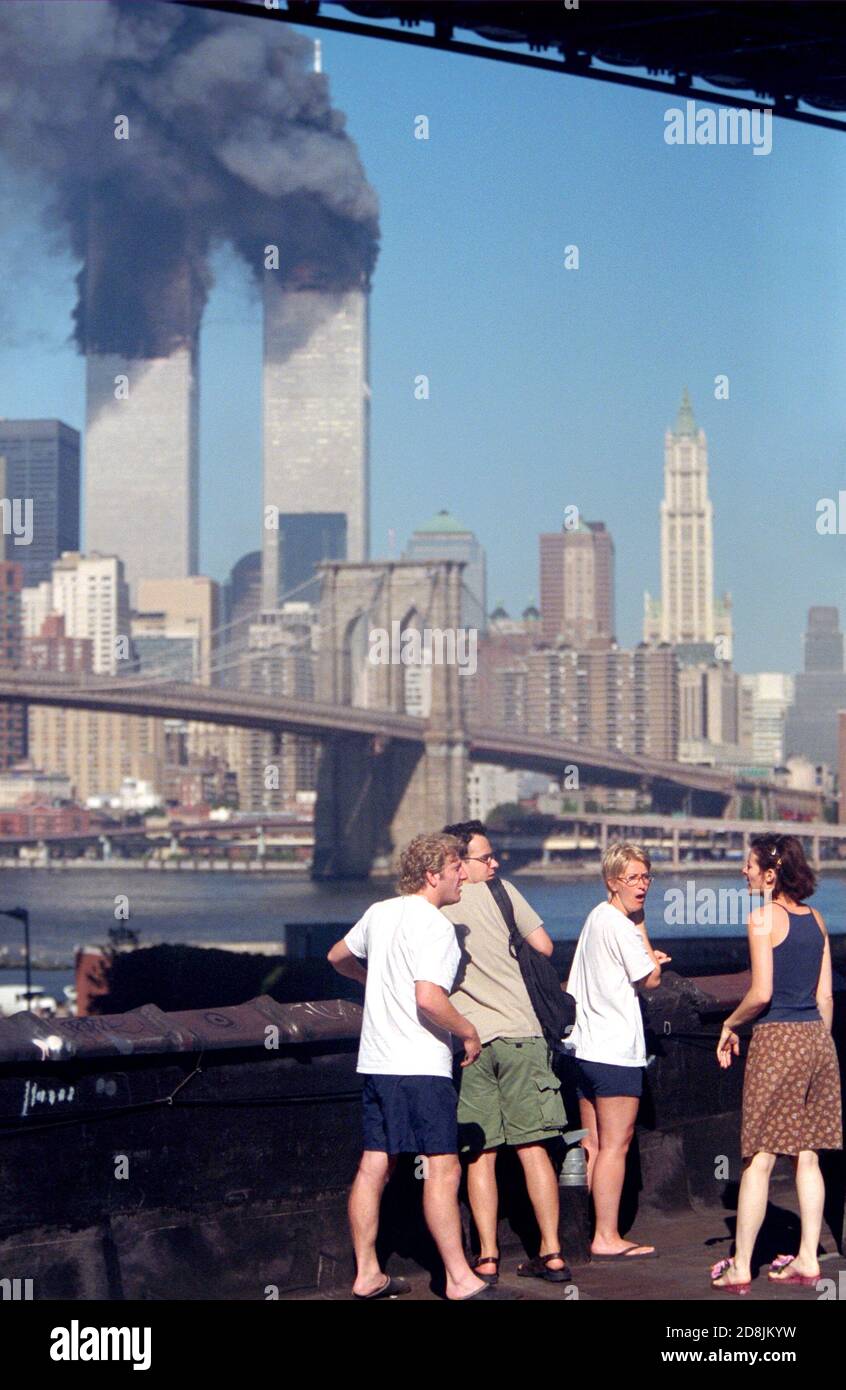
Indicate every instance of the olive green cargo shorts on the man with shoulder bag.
{"type": "Point", "coordinates": [509, 1096]}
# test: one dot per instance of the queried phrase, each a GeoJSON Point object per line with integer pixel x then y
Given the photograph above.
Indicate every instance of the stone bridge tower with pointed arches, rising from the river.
{"type": "Point", "coordinates": [376, 794]}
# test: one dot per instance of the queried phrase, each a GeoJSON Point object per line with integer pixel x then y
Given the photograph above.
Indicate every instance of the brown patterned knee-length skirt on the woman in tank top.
{"type": "Point", "coordinates": [791, 1090]}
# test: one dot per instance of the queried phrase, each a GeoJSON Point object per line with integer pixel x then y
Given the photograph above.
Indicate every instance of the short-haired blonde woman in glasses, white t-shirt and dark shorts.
{"type": "Point", "coordinates": [613, 958]}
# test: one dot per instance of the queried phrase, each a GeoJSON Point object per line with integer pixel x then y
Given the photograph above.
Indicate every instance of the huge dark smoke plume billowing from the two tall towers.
{"type": "Point", "coordinates": [231, 138]}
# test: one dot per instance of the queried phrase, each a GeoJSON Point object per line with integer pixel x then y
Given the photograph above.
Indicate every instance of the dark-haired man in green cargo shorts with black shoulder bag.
{"type": "Point", "coordinates": [511, 1096]}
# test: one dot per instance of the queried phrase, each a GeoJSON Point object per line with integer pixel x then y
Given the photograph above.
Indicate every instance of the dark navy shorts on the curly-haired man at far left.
{"type": "Point", "coordinates": [410, 1115]}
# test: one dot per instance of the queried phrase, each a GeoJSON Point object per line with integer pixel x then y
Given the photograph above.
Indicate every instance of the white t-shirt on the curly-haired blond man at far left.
{"type": "Point", "coordinates": [404, 940]}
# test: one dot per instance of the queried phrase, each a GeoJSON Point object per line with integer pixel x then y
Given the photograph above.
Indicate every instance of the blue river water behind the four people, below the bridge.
{"type": "Point", "coordinates": [70, 908]}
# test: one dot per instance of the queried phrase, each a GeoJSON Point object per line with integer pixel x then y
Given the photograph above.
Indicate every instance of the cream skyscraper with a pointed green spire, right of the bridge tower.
{"type": "Point", "coordinates": [688, 614]}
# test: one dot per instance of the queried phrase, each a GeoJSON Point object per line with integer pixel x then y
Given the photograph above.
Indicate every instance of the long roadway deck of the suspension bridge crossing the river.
{"type": "Point", "coordinates": [233, 708]}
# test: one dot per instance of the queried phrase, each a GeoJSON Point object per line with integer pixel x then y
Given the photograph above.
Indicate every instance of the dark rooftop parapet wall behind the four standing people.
{"type": "Point", "coordinates": [206, 1154]}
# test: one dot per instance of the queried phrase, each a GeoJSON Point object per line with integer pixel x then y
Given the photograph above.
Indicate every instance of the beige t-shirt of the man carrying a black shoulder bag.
{"type": "Point", "coordinates": [490, 989]}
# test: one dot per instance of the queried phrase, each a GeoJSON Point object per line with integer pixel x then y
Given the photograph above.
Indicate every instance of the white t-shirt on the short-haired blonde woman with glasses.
{"type": "Point", "coordinates": [611, 957]}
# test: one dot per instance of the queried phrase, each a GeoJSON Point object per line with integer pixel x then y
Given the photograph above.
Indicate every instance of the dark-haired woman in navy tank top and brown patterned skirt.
{"type": "Point", "coordinates": [793, 1082]}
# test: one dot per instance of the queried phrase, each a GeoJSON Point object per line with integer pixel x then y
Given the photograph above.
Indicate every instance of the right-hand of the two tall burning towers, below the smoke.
{"type": "Point", "coordinates": [316, 433]}
